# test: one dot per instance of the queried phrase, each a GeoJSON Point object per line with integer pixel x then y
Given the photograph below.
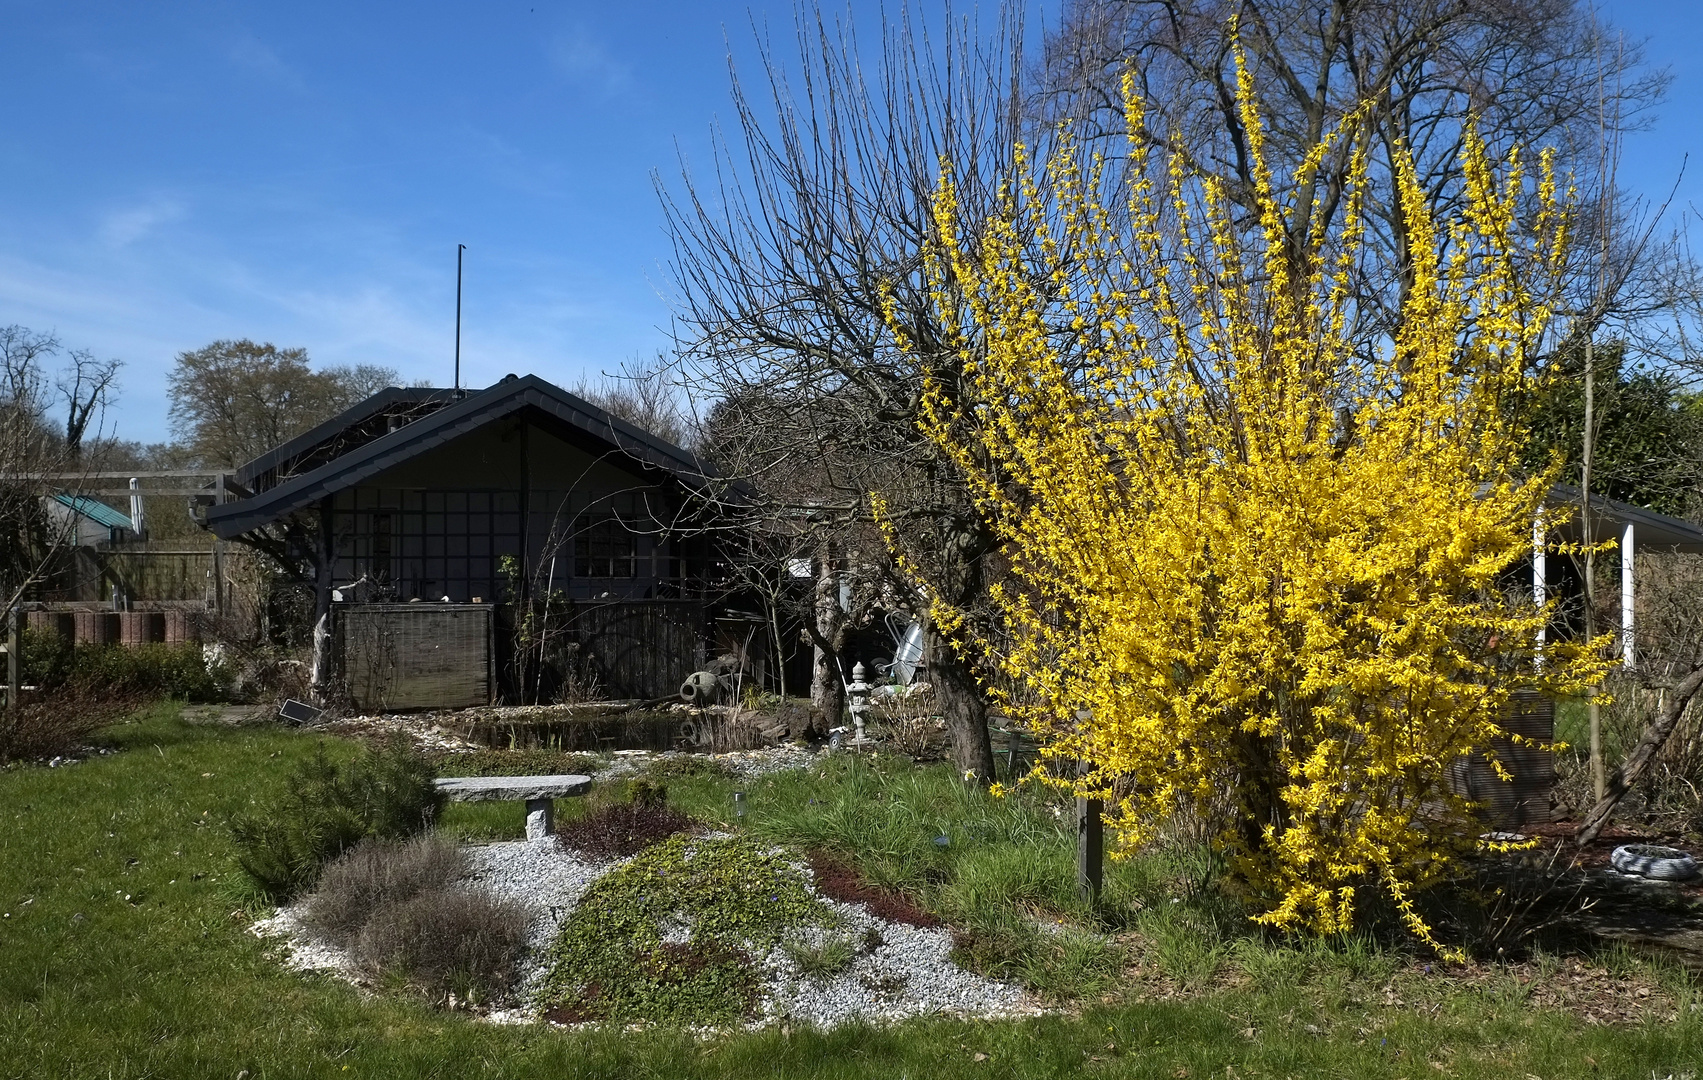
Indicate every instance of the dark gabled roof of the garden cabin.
{"type": "Point", "coordinates": [398, 425]}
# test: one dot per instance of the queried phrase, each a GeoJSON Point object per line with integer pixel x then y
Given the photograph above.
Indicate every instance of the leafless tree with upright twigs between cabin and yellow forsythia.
{"type": "Point", "coordinates": [794, 263]}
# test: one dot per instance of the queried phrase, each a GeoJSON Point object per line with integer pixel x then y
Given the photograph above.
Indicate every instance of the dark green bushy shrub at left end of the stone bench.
{"type": "Point", "coordinates": [328, 808]}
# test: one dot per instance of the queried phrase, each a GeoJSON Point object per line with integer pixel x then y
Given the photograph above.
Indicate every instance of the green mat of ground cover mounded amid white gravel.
{"type": "Point", "coordinates": [668, 936]}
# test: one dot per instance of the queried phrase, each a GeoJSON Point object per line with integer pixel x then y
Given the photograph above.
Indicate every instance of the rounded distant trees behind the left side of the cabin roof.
{"type": "Point", "coordinates": [232, 401]}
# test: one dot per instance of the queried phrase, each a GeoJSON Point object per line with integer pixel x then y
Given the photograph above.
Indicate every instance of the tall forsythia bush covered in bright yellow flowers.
{"type": "Point", "coordinates": [1275, 565]}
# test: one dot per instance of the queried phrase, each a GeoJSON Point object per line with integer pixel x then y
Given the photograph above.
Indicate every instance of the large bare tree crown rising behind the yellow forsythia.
{"type": "Point", "coordinates": [1530, 72]}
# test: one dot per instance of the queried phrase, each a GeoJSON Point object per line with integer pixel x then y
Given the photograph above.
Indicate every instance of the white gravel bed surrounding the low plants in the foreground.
{"type": "Point", "coordinates": [898, 972]}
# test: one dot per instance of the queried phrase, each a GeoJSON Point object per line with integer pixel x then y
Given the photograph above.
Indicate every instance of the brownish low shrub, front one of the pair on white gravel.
{"type": "Point", "coordinates": [447, 941]}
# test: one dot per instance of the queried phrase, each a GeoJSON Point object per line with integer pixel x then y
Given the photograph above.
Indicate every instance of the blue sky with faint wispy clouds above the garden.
{"type": "Point", "coordinates": [294, 173]}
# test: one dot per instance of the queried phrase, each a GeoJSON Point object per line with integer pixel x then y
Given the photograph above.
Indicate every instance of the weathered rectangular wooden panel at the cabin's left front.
{"type": "Point", "coordinates": [415, 655]}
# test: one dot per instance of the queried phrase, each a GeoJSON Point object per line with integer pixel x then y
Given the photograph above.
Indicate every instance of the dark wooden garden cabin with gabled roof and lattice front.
{"type": "Point", "coordinates": [428, 522]}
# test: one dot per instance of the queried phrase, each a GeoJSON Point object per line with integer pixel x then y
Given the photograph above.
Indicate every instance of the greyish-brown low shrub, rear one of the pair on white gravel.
{"type": "Point", "coordinates": [376, 875]}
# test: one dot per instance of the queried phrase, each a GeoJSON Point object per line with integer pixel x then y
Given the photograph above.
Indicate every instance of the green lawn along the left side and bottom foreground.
{"type": "Point", "coordinates": [125, 953]}
